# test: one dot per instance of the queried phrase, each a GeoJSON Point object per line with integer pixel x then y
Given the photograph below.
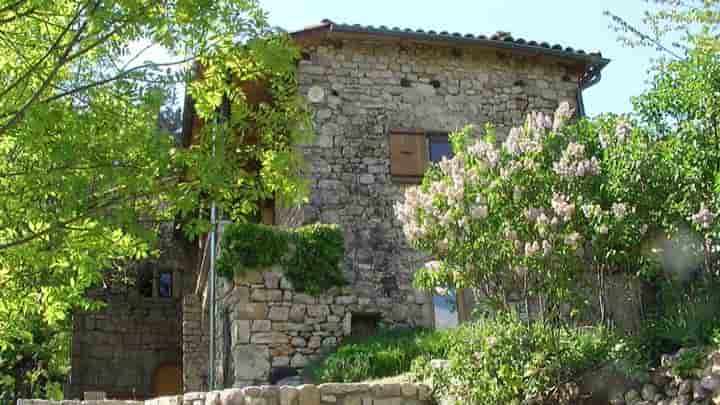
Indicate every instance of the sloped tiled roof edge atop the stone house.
{"type": "Point", "coordinates": [499, 40]}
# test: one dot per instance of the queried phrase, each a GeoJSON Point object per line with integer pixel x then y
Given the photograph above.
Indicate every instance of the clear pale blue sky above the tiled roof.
{"type": "Point", "coordinates": [579, 23]}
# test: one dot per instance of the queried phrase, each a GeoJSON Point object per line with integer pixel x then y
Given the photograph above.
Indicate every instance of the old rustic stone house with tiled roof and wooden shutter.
{"type": "Point", "coordinates": [385, 101]}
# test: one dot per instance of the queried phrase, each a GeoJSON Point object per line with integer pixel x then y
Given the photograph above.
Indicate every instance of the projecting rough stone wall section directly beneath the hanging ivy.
{"type": "Point", "coordinates": [265, 328]}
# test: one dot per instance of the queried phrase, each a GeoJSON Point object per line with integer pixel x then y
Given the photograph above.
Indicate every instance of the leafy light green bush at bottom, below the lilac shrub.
{"type": "Point", "coordinates": [507, 361]}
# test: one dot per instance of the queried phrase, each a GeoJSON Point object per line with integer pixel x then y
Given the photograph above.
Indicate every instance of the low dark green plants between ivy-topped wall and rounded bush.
{"type": "Point", "coordinates": [387, 354]}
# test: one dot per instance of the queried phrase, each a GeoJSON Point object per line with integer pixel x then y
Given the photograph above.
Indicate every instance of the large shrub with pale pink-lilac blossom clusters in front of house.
{"type": "Point", "coordinates": [536, 212]}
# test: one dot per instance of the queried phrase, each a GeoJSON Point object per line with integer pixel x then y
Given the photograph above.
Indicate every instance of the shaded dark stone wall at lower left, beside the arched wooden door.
{"type": "Point", "coordinates": [118, 348]}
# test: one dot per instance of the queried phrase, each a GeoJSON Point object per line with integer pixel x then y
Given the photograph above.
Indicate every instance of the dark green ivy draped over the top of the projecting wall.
{"type": "Point", "coordinates": [310, 255]}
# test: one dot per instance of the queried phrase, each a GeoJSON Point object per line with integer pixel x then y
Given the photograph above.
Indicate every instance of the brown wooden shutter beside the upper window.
{"type": "Point", "coordinates": [408, 155]}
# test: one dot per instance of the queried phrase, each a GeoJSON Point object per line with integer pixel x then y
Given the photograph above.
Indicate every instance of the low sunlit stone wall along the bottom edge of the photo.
{"type": "Point", "coordinates": [325, 394]}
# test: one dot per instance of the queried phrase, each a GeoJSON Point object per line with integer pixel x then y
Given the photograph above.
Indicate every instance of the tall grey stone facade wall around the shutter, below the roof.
{"type": "Point", "coordinates": [368, 88]}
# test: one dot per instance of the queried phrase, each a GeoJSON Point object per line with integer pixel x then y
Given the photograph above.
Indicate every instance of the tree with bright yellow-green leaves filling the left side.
{"type": "Point", "coordinates": [86, 172]}
